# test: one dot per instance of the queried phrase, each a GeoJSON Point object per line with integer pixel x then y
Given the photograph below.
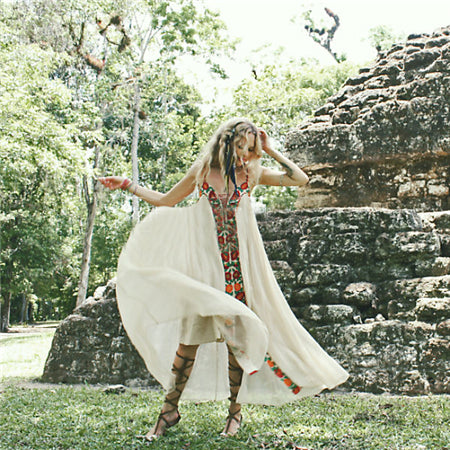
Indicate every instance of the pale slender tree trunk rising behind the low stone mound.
{"type": "Point", "coordinates": [91, 203]}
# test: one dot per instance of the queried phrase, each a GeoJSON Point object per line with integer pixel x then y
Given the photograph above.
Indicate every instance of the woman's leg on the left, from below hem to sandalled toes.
{"type": "Point", "coordinates": [182, 368]}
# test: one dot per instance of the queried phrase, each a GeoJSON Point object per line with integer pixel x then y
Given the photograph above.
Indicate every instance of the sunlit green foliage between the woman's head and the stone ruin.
{"type": "Point", "coordinates": [281, 97]}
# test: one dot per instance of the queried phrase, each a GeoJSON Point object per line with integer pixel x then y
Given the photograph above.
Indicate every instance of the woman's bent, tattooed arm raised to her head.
{"type": "Point", "coordinates": [291, 175]}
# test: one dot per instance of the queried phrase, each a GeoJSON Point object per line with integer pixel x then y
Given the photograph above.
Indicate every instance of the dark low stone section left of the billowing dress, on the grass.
{"type": "Point", "coordinates": [91, 346]}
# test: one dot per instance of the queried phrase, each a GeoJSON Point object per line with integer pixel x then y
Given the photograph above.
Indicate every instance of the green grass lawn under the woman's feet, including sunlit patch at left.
{"type": "Point", "coordinates": [33, 416]}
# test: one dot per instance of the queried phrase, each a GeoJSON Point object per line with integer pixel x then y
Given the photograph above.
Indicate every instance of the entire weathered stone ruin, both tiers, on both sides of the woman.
{"type": "Point", "coordinates": [365, 260]}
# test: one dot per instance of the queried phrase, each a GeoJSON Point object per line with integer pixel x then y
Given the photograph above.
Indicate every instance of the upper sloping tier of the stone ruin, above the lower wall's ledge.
{"type": "Point", "coordinates": [384, 139]}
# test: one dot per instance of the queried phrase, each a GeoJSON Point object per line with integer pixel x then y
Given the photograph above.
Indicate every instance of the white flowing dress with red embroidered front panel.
{"type": "Point", "coordinates": [176, 282]}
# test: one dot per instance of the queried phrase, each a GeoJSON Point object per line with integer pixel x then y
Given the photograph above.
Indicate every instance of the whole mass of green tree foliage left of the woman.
{"type": "Point", "coordinates": [67, 90]}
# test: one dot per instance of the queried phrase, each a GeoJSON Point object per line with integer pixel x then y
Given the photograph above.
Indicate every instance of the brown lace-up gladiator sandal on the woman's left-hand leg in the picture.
{"type": "Point", "coordinates": [172, 398]}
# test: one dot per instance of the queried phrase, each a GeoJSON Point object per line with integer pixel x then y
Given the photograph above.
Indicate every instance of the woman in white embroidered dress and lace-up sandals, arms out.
{"type": "Point", "coordinates": [197, 295]}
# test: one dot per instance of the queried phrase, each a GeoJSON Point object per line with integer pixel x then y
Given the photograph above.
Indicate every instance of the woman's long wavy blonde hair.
{"type": "Point", "coordinates": [222, 145]}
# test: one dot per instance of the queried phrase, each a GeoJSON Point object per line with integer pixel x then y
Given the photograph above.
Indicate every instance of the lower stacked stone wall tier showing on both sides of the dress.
{"type": "Point", "coordinates": [372, 286]}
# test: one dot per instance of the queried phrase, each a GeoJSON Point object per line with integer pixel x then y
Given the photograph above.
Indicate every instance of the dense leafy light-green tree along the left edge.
{"type": "Point", "coordinates": [41, 155]}
